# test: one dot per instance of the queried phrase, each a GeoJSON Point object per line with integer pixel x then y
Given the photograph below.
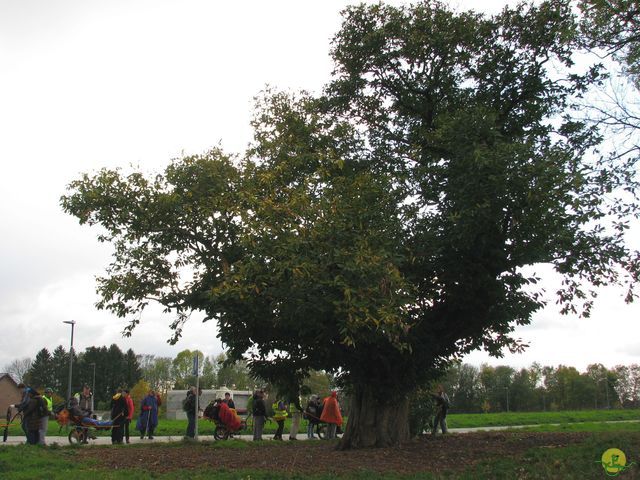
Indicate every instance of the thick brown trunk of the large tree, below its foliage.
{"type": "Point", "coordinates": [374, 422]}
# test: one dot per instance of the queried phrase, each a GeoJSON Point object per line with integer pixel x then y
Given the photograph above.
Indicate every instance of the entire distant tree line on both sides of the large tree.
{"type": "Point", "coordinates": [471, 388]}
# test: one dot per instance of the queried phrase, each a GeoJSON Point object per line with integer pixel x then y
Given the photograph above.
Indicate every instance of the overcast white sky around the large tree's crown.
{"type": "Point", "coordinates": [87, 84]}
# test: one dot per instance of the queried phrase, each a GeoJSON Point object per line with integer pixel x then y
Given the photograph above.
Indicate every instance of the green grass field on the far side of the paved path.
{"type": "Point", "coordinates": [462, 420]}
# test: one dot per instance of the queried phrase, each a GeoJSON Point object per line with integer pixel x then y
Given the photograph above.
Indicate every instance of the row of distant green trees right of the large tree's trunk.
{"type": "Point", "coordinates": [501, 388]}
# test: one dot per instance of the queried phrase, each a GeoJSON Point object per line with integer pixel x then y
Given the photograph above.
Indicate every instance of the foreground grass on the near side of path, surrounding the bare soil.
{"type": "Point", "coordinates": [576, 461]}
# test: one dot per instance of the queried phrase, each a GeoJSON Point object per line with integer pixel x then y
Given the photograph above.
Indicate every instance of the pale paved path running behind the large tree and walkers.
{"type": "Point", "coordinates": [106, 440]}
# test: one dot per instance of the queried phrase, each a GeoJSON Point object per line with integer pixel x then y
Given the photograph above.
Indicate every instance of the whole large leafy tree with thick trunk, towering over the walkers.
{"type": "Point", "coordinates": [381, 229]}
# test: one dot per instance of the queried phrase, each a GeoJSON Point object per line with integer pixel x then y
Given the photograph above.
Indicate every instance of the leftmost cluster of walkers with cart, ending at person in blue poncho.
{"type": "Point", "coordinates": [37, 409]}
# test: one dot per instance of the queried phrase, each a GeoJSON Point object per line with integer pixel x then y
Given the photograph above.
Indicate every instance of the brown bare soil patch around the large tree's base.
{"type": "Point", "coordinates": [427, 454]}
